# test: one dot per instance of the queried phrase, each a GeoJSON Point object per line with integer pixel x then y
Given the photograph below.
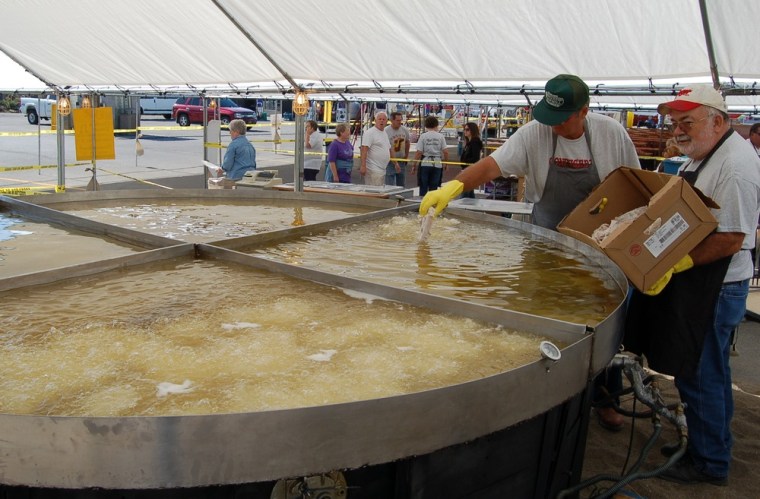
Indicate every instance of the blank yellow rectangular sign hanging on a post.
{"type": "Point", "coordinates": [102, 140]}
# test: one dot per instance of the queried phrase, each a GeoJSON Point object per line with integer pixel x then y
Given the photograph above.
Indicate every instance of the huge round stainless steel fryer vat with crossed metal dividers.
{"type": "Point", "coordinates": [424, 433]}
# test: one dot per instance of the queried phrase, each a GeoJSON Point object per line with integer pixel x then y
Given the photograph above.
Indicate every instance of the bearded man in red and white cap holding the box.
{"type": "Point", "coordinates": [684, 323]}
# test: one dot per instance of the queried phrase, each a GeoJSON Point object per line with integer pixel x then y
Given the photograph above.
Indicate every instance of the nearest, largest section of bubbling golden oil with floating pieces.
{"type": "Point", "coordinates": [177, 338]}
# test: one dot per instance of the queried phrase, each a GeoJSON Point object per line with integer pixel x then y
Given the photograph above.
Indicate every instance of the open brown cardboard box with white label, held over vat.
{"type": "Point", "coordinates": [677, 218]}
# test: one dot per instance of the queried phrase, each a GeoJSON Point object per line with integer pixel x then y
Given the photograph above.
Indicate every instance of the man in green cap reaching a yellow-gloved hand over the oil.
{"type": "Point", "coordinates": [563, 154]}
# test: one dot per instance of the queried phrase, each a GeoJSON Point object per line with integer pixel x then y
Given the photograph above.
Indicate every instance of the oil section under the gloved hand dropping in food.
{"type": "Point", "coordinates": [484, 263]}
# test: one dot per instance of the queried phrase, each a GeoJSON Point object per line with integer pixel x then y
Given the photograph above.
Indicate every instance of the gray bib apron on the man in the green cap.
{"type": "Point", "coordinates": [565, 188]}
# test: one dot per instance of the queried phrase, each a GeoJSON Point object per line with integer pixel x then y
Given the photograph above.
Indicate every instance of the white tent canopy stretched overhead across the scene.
{"type": "Point", "coordinates": [385, 48]}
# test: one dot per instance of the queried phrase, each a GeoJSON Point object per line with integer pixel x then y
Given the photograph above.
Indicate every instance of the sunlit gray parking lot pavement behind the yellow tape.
{"type": "Point", "coordinates": [29, 159]}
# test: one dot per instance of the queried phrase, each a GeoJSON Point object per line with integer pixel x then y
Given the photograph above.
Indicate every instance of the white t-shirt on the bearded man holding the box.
{"type": "Point", "coordinates": [731, 178]}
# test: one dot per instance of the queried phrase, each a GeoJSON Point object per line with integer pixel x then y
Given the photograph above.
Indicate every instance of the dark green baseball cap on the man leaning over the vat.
{"type": "Point", "coordinates": [564, 96]}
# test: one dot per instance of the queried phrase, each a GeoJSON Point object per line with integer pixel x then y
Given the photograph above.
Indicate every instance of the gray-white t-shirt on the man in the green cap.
{"type": "Point", "coordinates": [528, 151]}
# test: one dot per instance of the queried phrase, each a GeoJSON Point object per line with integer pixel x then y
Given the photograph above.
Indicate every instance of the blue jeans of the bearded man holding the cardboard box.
{"type": "Point", "coordinates": [710, 402]}
